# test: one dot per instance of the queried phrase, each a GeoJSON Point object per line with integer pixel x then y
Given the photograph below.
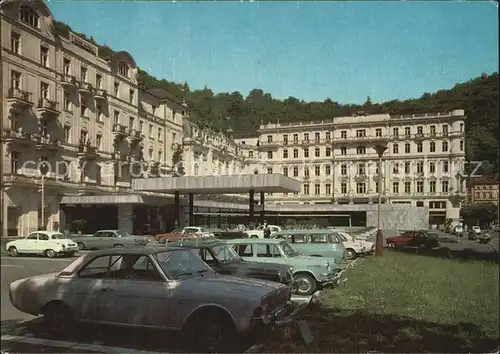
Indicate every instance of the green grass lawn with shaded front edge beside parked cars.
{"type": "Point", "coordinates": [404, 303]}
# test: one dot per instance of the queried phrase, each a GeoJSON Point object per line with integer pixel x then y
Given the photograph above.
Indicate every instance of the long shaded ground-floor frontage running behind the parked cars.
{"type": "Point", "coordinates": [143, 216]}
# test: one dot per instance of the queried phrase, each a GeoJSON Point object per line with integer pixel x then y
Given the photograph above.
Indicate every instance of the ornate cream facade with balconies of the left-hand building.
{"type": "Point", "coordinates": [87, 117]}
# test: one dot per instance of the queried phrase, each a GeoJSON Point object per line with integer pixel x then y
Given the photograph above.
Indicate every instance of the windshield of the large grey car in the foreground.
{"type": "Point", "coordinates": [181, 264]}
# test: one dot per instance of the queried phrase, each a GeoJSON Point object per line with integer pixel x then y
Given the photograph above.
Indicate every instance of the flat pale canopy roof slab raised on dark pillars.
{"type": "Point", "coordinates": [233, 184]}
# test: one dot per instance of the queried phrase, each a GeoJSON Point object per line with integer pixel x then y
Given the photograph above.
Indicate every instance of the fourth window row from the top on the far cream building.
{"type": "Point", "coordinates": [361, 188]}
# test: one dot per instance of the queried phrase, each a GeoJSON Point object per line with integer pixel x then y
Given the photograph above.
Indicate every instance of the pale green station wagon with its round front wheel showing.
{"type": "Point", "coordinates": [309, 273]}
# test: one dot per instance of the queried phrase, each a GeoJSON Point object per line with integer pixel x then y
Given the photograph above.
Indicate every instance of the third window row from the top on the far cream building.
{"type": "Point", "coordinates": [361, 168]}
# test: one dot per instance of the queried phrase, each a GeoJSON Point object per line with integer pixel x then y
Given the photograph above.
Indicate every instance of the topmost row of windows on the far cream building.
{"type": "Point", "coordinates": [361, 133]}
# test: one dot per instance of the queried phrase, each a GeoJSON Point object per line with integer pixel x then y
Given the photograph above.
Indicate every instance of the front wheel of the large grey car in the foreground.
{"type": "Point", "coordinates": [211, 331]}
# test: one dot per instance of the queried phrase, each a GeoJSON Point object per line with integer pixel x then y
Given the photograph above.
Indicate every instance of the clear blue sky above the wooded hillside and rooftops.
{"type": "Point", "coordinates": [310, 50]}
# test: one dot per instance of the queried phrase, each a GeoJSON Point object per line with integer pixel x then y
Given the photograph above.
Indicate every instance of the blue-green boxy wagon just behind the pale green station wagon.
{"type": "Point", "coordinates": [315, 243]}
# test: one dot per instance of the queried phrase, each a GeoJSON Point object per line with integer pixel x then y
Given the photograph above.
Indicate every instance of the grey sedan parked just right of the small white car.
{"type": "Point", "coordinates": [108, 239]}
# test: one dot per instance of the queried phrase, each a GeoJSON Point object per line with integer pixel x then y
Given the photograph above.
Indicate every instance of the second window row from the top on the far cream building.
{"type": "Point", "coordinates": [361, 150]}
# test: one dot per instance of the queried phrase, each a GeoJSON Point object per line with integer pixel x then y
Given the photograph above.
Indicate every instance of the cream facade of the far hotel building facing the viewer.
{"type": "Point", "coordinates": [337, 161]}
